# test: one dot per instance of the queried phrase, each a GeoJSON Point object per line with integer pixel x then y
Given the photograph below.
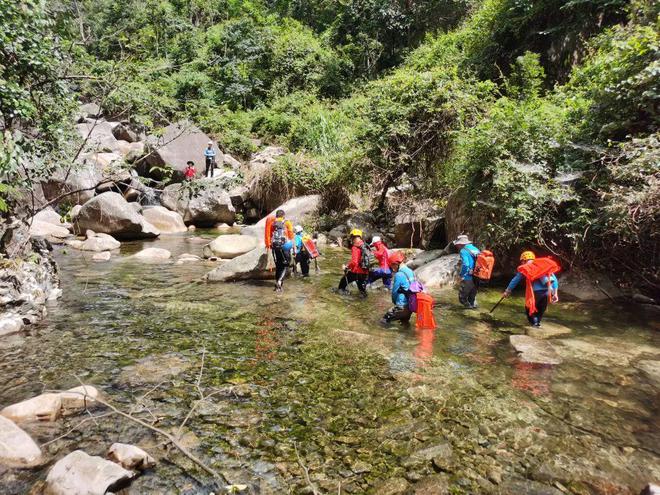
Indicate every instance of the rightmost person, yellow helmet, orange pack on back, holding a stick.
{"type": "Point", "coordinates": [541, 285]}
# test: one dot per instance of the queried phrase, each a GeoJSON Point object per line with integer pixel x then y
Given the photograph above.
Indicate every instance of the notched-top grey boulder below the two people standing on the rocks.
{"type": "Point", "coordinates": [210, 206]}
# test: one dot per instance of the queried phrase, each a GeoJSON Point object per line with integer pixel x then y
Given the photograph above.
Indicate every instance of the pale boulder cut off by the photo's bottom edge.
{"type": "Point", "coordinates": [83, 474]}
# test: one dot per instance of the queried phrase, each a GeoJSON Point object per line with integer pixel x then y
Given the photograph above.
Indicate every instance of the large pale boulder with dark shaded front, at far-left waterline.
{"type": "Point", "coordinates": [110, 213]}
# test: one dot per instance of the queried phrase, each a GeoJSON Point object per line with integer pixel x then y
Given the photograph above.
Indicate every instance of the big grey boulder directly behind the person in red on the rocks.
{"type": "Point", "coordinates": [180, 142]}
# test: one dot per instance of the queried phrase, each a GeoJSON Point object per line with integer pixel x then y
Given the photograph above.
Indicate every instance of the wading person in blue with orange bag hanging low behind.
{"type": "Point", "coordinates": [409, 296]}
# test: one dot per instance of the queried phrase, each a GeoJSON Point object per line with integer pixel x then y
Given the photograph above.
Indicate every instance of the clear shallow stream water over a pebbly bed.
{"type": "Point", "coordinates": [304, 392]}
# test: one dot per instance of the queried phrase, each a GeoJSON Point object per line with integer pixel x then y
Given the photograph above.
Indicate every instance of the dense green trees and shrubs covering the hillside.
{"type": "Point", "coordinates": [539, 119]}
